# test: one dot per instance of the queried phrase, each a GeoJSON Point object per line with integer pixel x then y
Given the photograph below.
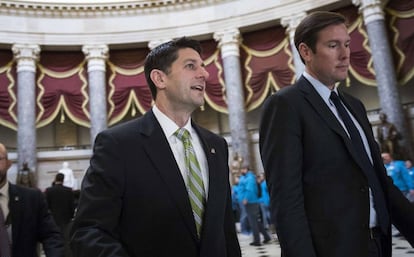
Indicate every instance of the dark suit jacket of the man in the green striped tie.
{"type": "Point", "coordinates": [134, 201]}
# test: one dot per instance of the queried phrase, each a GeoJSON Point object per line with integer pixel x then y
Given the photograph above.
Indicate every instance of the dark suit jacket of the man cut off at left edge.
{"type": "Point", "coordinates": [32, 224]}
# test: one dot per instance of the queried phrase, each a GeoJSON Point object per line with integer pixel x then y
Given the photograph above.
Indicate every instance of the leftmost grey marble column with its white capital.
{"type": "Point", "coordinates": [26, 56]}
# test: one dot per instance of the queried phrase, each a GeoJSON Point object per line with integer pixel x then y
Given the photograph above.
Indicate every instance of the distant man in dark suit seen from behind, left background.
{"type": "Point", "coordinates": [61, 203]}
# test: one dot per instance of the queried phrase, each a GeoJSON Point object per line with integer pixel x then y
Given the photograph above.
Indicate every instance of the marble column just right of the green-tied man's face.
{"type": "Point", "coordinates": [229, 41]}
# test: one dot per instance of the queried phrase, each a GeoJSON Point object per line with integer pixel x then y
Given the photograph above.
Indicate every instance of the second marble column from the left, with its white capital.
{"type": "Point", "coordinates": [96, 56]}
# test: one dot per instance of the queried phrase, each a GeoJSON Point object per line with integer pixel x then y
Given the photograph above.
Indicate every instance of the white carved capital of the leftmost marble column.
{"type": "Point", "coordinates": [26, 55]}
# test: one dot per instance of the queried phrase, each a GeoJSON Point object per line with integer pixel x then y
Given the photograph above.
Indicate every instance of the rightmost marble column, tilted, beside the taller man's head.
{"type": "Point", "coordinates": [389, 97]}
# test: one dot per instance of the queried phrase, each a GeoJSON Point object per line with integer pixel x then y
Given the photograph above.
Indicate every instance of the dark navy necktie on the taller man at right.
{"type": "Point", "coordinates": [365, 163]}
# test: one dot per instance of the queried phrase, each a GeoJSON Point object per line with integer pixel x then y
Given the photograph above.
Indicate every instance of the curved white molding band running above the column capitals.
{"type": "Point", "coordinates": [56, 25]}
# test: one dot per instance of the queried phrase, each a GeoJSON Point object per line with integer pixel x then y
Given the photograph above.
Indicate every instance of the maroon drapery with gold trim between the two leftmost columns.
{"type": "Point", "coordinates": [62, 88]}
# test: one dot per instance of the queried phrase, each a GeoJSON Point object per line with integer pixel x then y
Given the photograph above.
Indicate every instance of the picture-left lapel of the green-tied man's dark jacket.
{"type": "Point", "coordinates": [159, 151]}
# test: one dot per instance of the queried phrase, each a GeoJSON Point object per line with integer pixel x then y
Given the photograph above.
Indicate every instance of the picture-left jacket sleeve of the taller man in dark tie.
{"type": "Point", "coordinates": [281, 153]}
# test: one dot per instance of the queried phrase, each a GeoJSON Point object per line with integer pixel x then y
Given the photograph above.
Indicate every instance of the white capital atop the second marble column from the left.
{"type": "Point", "coordinates": [96, 56]}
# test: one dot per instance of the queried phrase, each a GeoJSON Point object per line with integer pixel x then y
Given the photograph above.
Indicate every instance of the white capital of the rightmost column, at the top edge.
{"type": "Point", "coordinates": [372, 10]}
